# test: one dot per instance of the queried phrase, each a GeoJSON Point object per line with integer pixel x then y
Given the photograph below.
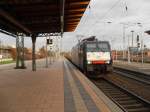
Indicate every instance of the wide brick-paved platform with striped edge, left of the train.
{"type": "Point", "coordinates": [59, 88]}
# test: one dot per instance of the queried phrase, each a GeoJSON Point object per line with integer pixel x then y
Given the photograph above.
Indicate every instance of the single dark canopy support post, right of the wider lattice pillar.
{"type": "Point", "coordinates": [33, 53]}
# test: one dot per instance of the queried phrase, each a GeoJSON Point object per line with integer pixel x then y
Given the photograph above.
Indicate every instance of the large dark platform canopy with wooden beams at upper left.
{"type": "Point", "coordinates": [41, 16]}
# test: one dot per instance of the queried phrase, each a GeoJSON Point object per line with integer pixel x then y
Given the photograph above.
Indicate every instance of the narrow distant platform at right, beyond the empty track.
{"type": "Point", "coordinates": [133, 66]}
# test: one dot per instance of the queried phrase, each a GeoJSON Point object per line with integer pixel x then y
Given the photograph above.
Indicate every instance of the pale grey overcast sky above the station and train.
{"type": "Point", "coordinates": [95, 22]}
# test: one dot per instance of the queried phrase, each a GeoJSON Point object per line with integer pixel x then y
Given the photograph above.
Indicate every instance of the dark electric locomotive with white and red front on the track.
{"type": "Point", "coordinates": [91, 55]}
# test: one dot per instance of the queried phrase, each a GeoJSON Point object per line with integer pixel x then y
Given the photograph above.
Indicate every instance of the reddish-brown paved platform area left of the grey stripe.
{"type": "Point", "coordinates": [27, 91]}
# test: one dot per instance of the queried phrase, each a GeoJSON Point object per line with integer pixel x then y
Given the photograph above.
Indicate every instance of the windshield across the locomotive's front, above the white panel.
{"type": "Point", "coordinates": [95, 47]}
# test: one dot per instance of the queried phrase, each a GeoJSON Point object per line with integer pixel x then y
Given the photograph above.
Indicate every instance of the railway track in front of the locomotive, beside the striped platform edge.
{"type": "Point", "coordinates": [127, 101]}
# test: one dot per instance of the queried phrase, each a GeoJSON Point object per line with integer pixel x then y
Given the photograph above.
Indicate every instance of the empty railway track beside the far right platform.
{"type": "Point", "coordinates": [141, 77]}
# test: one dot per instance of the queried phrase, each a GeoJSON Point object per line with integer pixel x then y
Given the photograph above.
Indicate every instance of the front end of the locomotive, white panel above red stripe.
{"type": "Point", "coordinates": [98, 57]}
